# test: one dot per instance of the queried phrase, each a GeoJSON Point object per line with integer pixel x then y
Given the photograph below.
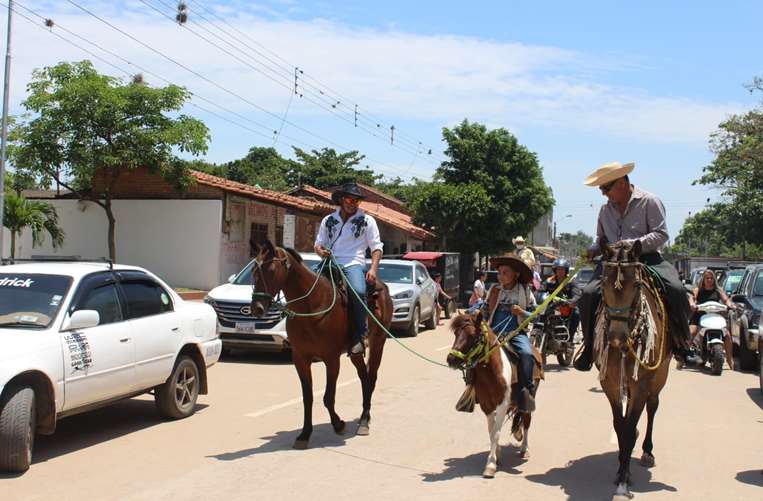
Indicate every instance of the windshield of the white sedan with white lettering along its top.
{"type": "Point", "coordinates": [30, 301]}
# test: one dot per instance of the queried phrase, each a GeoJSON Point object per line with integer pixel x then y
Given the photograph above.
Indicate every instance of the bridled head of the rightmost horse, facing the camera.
{"type": "Point", "coordinates": [621, 289]}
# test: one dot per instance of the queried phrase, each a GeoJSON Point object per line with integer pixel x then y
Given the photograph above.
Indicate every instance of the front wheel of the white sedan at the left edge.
{"type": "Point", "coordinates": [18, 422]}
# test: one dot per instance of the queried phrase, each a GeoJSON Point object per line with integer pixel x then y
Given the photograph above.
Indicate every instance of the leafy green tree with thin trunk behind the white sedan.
{"type": "Point", "coordinates": [84, 130]}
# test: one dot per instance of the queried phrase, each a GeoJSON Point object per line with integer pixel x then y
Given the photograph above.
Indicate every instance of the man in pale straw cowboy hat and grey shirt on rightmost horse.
{"type": "Point", "coordinates": [632, 214]}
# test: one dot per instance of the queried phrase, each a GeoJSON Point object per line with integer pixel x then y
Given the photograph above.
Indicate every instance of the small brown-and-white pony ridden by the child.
{"type": "Point", "coordinates": [492, 384]}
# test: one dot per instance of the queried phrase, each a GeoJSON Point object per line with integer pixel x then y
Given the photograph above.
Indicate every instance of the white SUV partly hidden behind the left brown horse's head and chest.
{"type": "Point", "coordinates": [237, 327]}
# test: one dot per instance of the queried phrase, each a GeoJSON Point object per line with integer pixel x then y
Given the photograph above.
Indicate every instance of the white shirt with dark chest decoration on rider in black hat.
{"type": "Point", "coordinates": [348, 240]}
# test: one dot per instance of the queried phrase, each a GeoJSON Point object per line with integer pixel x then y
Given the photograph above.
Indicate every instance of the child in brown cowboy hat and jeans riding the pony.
{"type": "Point", "coordinates": [508, 302]}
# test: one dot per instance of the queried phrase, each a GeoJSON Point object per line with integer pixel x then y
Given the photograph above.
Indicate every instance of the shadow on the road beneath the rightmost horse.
{"type": "Point", "coordinates": [592, 477]}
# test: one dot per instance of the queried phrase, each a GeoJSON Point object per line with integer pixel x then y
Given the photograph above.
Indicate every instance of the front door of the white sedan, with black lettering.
{"type": "Point", "coordinates": [99, 362]}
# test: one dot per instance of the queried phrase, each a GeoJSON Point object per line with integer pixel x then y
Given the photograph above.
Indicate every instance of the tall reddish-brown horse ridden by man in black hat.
{"type": "Point", "coordinates": [319, 330]}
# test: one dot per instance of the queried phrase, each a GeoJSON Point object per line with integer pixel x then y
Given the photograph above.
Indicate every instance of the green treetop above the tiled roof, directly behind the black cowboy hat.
{"type": "Point", "coordinates": [326, 168]}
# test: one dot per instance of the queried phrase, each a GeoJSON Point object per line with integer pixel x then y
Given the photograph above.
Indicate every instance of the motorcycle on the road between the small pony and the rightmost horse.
{"type": "Point", "coordinates": [551, 334]}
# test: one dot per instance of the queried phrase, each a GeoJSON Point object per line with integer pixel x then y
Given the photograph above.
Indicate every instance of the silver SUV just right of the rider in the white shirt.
{"type": "Point", "coordinates": [413, 294]}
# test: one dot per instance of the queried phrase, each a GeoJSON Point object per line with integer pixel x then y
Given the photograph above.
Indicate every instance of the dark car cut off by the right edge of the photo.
{"type": "Point", "coordinates": [749, 295]}
